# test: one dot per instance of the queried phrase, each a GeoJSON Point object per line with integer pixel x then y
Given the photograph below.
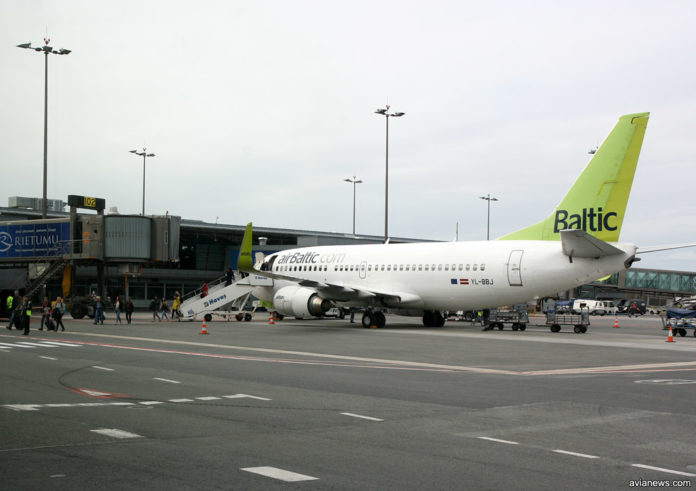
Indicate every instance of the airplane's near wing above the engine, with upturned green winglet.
{"type": "Point", "coordinates": [331, 291]}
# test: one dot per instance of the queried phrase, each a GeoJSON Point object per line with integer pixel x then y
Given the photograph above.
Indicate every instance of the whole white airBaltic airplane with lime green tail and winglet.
{"type": "Point", "coordinates": [575, 245]}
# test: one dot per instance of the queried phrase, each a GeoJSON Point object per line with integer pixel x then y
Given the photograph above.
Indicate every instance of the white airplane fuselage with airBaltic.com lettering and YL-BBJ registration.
{"type": "Point", "coordinates": [439, 276]}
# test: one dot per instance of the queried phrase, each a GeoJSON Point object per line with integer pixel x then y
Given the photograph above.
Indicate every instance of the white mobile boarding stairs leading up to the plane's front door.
{"type": "Point", "coordinates": [220, 296]}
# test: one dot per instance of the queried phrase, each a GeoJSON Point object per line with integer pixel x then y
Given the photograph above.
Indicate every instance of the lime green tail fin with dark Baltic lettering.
{"type": "Point", "coordinates": [597, 201]}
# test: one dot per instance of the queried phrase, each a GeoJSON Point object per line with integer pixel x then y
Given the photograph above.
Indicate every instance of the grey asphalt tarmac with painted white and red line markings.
{"type": "Point", "coordinates": [325, 404]}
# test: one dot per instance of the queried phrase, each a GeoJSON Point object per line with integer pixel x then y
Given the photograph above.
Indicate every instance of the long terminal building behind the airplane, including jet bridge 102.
{"type": "Point", "coordinates": [146, 256]}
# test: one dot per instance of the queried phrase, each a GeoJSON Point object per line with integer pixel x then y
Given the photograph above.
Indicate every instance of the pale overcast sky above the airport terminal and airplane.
{"type": "Point", "coordinates": [258, 111]}
